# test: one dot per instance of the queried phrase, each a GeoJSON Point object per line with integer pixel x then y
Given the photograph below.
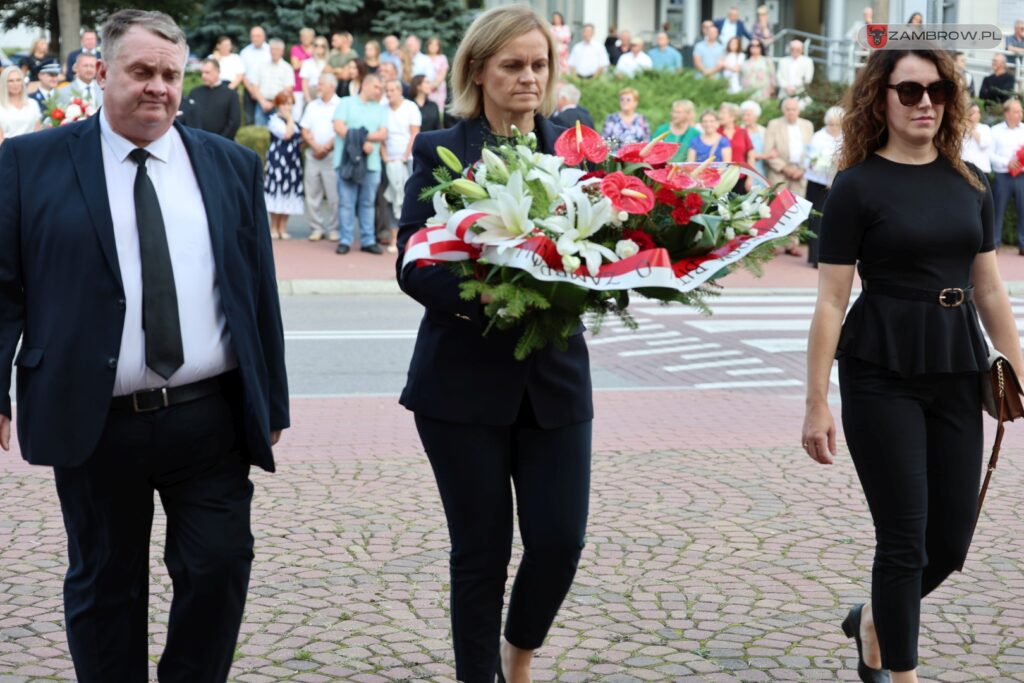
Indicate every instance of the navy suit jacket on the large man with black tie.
{"type": "Point", "coordinates": [61, 288]}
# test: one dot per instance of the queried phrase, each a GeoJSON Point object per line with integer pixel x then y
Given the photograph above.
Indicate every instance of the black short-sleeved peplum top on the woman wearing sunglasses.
{"type": "Point", "coordinates": [912, 226]}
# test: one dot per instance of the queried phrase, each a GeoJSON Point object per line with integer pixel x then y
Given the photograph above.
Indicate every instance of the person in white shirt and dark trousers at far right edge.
{"type": "Point", "coordinates": [1008, 141]}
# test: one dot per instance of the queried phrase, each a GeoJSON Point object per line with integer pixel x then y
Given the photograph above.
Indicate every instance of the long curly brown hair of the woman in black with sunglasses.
{"type": "Point", "coordinates": [865, 130]}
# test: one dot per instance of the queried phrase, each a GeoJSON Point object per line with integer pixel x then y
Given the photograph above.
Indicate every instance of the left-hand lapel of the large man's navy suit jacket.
{"type": "Point", "coordinates": [87, 153]}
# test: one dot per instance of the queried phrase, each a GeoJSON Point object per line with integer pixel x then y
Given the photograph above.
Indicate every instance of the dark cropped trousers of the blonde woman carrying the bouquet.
{"type": "Point", "coordinates": [474, 465]}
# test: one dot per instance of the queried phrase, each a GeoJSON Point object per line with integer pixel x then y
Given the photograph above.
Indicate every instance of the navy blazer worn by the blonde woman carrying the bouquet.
{"type": "Point", "coordinates": [457, 374]}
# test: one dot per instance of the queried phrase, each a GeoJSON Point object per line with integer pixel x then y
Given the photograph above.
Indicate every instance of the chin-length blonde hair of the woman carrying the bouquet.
{"type": "Point", "coordinates": [489, 34]}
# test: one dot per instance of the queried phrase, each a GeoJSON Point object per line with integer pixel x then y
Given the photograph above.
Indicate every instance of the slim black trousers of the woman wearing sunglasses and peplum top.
{"type": "Point", "coordinates": [917, 444]}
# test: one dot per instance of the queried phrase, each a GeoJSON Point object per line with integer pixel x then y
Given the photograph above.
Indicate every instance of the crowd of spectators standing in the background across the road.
{"type": "Point", "coordinates": [311, 96]}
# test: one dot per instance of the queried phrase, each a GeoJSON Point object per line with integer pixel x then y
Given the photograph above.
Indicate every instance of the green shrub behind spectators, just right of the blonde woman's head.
{"type": "Point", "coordinates": [658, 91]}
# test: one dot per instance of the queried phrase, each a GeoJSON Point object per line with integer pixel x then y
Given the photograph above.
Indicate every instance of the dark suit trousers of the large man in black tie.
{"type": "Point", "coordinates": [190, 454]}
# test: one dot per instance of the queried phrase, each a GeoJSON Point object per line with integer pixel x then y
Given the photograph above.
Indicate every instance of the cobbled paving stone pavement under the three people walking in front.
{"type": "Point", "coordinates": [728, 563]}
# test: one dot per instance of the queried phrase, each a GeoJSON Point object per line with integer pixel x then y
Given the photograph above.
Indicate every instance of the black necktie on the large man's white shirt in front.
{"type": "Point", "coordinates": [160, 302]}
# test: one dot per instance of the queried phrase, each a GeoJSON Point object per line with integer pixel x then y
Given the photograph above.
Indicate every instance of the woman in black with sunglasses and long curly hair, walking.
{"type": "Point", "coordinates": [917, 222]}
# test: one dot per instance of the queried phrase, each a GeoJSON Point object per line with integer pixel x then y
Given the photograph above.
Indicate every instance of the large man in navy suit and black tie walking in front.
{"type": "Point", "coordinates": [152, 356]}
